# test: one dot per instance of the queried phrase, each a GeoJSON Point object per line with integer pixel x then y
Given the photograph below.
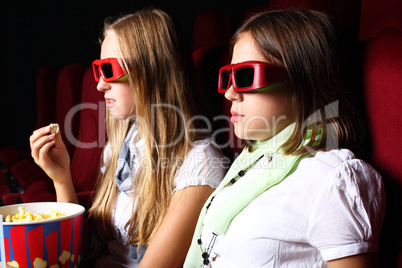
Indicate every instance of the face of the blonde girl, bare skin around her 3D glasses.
{"type": "Point", "coordinates": [118, 95]}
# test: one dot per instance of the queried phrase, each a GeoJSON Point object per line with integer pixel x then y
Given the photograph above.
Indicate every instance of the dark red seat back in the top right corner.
{"type": "Point", "coordinates": [378, 15]}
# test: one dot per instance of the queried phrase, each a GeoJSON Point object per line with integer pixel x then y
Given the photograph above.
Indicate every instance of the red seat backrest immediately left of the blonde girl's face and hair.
{"type": "Point", "coordinates": [91, 137]}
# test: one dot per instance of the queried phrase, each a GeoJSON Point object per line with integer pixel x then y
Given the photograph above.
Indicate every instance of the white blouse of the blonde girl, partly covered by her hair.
{"type": "Point", "coordinates": [203, 165]}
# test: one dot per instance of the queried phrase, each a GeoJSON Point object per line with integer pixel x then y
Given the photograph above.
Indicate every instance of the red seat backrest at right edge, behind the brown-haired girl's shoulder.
{"type": "Point", "coordinates": [382, 77]}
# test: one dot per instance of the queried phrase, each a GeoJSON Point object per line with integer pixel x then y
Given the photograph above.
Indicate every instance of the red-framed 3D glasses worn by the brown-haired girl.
{"type": "Point", "coordinates": [250, 76]}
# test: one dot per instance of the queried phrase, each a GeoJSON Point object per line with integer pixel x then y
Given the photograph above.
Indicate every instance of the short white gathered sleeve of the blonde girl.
{"type": "Point", "coordinates": [204, 165]}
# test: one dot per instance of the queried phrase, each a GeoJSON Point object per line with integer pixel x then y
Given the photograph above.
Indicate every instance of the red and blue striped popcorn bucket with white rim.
{"type": "Point", "coordinates": [48, 243]}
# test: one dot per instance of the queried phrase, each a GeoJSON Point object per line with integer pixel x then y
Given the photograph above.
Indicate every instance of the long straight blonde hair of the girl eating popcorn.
{"type": "Point", "coordinates": [160, 77]}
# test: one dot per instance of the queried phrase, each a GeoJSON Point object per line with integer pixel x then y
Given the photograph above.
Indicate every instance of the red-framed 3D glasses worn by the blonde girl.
{"type": "Point", "coordinates": [109, 69]}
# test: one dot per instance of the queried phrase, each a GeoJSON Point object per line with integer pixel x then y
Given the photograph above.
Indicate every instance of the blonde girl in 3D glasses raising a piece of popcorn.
{"type": "Point", "coordinates": [157, 170]}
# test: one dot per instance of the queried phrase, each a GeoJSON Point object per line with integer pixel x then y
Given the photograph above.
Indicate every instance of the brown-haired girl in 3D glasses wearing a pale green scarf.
{"type": "Point", "coordinates": [292, 198]}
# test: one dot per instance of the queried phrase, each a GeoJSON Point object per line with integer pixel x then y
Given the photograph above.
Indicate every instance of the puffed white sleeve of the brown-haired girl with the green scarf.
{"type": "Point", "coordinates": [348, 211]}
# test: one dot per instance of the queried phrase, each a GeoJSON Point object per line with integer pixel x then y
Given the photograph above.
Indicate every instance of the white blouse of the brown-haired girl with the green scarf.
{"type": "Point", "coordinates": [332, 206]}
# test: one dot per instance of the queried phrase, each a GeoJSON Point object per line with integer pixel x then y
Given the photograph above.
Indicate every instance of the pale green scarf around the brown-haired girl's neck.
{"type": "Point", "coordinates": [222, 218]}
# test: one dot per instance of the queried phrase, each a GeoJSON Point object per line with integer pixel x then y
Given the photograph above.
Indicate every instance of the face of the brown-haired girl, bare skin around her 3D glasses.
{"type": "Point", "coordinates": [258, 115]}
